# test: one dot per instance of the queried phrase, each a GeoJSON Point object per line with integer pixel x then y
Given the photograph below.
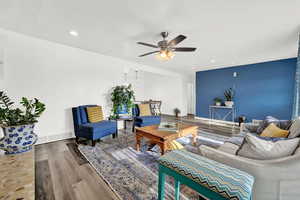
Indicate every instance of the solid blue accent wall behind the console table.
{"type": "Point", "coordinates": [262, 89]}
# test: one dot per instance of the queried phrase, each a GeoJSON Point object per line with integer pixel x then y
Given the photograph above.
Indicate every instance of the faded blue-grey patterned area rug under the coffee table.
{"type": "Point", "coordinates": [133, 175]}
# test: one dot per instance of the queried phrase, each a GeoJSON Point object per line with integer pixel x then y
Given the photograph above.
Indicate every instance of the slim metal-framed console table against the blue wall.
{"type": "Point", "coordinates": [229, 112]}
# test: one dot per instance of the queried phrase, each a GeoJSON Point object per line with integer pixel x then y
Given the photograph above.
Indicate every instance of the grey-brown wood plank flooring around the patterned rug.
{"type": "Point", "coordinates": [62, 173]}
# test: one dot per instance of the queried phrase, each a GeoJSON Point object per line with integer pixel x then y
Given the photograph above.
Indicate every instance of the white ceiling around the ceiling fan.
{"type": "Point", "coordinates": [230, 32]}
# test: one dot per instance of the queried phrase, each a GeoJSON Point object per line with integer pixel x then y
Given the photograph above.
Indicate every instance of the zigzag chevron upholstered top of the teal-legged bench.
{"type": "Point", "coordinates": [227, 181]}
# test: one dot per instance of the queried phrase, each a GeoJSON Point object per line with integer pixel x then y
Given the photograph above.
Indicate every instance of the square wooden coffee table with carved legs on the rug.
{"type": "Point", "coordinates": [162, 138]}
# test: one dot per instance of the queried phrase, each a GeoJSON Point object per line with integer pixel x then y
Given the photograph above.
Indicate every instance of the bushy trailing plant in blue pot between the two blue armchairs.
{"type": "Point", "coordinates": [122, 98]}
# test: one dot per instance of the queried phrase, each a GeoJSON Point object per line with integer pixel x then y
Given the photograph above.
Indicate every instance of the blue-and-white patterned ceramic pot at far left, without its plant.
{"type": "Point", "coordinates": [18, 139]}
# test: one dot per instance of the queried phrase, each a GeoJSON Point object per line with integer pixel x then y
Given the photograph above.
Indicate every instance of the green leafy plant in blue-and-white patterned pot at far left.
{"type": "Point", "coordinates": [18, 124]}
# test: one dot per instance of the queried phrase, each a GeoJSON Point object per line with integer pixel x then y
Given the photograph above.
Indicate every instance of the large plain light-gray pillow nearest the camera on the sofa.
{"type": "Point", "coordinates": [257, 148]}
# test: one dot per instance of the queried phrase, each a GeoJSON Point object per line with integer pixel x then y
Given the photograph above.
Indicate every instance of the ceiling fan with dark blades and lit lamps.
{"type": "Point", "coordinates": [167, 48]}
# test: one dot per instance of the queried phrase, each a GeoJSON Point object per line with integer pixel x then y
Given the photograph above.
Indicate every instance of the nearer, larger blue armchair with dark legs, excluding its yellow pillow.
{"type": "Point", "coordinates": [92, 131]}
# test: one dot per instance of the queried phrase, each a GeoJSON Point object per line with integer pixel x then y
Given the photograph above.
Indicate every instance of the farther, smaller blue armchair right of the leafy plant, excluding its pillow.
{"type": "Point", "coordinates": [141, 121]}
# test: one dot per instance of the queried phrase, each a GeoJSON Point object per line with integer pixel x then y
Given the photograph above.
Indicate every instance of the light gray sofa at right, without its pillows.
{"type": "Point", "coordinates": [277, 179]}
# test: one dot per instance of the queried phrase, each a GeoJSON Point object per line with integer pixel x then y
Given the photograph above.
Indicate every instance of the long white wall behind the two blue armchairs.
{"type": "Point", "coordinates": [63, 77]}
